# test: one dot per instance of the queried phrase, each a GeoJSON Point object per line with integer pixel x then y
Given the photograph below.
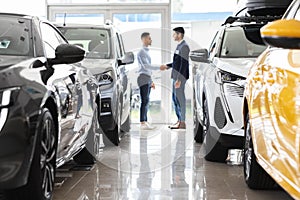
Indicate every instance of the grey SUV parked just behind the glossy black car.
{"type": "Point", "coordinates": [107, 60]}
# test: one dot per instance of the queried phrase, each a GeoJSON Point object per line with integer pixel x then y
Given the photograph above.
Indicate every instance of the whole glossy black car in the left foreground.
{"type": "Point", "coordinates": [48, 107]}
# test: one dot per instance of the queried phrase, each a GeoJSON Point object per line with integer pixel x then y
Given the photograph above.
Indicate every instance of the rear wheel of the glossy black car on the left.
{"type": "Point", "coordinates": [88, 155]}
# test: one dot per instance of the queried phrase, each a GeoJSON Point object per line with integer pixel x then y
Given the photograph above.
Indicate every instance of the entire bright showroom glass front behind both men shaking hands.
{"type": "Point", "coordinates": [158, 17]}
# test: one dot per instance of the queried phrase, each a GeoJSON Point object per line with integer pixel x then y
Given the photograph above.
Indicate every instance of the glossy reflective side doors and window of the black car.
{"type": "Point", "coordinates": [74, 99]}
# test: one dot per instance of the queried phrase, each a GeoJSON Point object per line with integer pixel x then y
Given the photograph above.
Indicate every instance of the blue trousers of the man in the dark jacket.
{"type": "Point", "coordinates": [179, 100]}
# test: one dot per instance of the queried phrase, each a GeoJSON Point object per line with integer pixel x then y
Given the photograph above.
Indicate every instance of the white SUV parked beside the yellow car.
{"type": "Point", "coordinates": [219, 76]}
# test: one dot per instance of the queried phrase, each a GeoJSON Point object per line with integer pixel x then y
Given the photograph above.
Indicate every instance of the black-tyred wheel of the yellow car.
{"type": "Point", "coordinates": [255, 176]}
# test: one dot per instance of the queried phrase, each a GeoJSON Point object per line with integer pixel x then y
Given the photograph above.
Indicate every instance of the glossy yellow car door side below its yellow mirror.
{"type": "Point", "coordinates": [281, 124]}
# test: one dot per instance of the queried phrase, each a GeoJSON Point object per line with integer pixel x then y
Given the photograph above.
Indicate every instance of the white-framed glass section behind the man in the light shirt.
{"type": "Point", "coordinates": [131, 20]}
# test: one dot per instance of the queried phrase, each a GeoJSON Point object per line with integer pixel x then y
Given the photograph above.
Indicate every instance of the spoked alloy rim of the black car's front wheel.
{"type": "Point", "coordinates": [47, 156]}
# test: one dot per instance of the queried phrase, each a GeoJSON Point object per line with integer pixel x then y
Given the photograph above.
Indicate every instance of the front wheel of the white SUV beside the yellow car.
{"type": "Point", "coordinates": [214, 151]}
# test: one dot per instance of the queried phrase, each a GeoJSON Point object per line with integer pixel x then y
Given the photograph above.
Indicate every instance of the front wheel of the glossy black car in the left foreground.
{"type": "Point", "coordinates": [42, 171]}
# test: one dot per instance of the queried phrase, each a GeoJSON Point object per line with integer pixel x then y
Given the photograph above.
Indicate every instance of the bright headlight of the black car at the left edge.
{"type": "Point", "coordinates": [6, 100]}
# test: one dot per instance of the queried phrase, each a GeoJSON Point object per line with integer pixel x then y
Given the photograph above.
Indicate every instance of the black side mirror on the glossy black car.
{"type": "Point", "coordinates": [67, 54]}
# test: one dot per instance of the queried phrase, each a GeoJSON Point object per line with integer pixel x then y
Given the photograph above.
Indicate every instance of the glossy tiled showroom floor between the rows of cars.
{"type": "Point", "coordinates": [160, 164]}
